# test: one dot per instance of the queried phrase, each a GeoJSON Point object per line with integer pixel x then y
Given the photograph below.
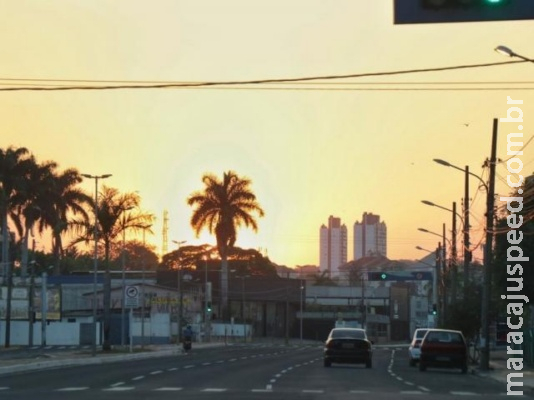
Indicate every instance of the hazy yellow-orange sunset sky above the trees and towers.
{"type": "Point", "coordinates": [337, 148]}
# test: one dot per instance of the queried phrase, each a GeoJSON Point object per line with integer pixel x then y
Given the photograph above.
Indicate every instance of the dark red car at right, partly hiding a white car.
{"type": "Point", "coordinates": [443, 348]}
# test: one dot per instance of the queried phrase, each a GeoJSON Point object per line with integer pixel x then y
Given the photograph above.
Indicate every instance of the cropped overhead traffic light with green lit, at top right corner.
{"type": "Point", "coordinates": [440, 11]}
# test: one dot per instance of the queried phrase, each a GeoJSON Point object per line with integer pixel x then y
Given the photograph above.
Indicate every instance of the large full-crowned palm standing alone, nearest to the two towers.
{"type": "Point", "coordinates": [222, 207]}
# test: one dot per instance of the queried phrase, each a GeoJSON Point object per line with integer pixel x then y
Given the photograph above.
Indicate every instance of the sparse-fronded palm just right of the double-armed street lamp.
{"type": "Point", "coordinates": [117, 213]}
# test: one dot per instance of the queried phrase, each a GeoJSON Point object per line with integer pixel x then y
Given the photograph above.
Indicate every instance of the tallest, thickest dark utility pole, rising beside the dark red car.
{"type": "Point", "coordinates": [488, 252]}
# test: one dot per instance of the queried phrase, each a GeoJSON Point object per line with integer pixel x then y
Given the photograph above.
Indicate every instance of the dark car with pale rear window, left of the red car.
{"type": "Point", "coordinates": [348, 345]}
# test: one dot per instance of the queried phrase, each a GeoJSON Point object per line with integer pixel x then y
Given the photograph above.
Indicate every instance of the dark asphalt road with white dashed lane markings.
{"type": "Point", "coordinates": [249, 372]}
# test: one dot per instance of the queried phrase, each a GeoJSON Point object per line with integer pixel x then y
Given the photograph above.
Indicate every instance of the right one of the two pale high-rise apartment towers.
{"type": "Point", "coordinates": [370, 237]}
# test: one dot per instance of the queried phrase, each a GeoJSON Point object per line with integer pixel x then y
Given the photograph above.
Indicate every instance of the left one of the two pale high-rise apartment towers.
{"type": "Point", "coordinates": [333, 245]}
